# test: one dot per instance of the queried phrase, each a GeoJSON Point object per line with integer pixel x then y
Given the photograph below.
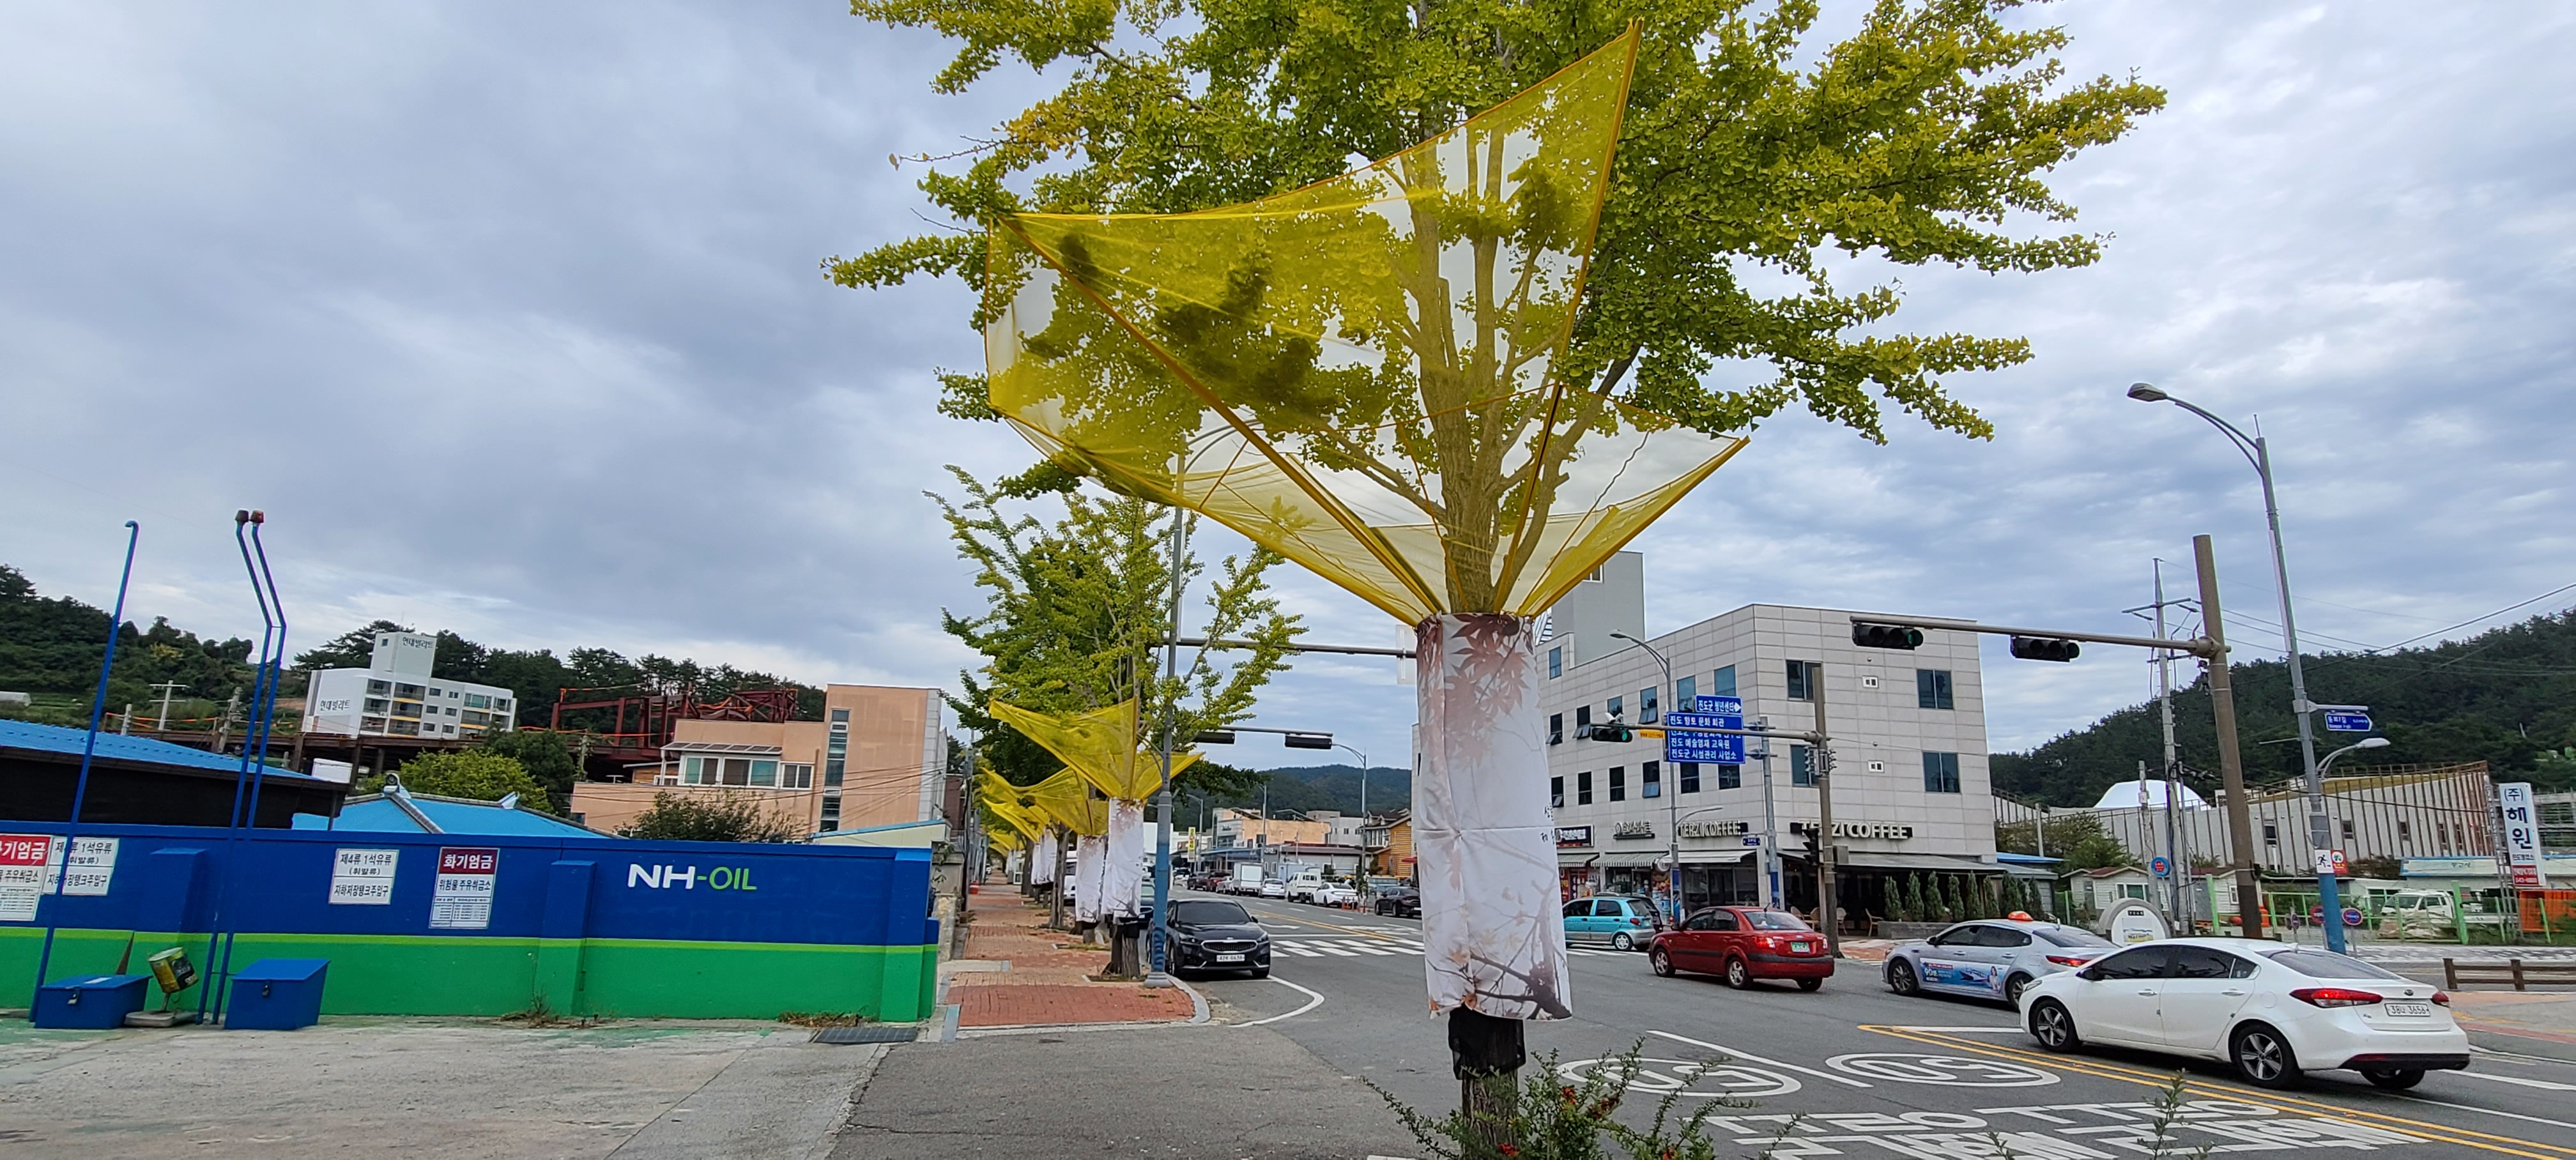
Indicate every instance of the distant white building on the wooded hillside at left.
{"type": "Point", "coordinates": [398, 697]}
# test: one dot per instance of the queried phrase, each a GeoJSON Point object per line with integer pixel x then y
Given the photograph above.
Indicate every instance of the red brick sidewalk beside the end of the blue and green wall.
{"type": "Point", "coordinates": [1016, 973]}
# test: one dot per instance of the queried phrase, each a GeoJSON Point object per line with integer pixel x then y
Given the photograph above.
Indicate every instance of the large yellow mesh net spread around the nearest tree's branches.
{"type": "Point", "coordinates": [1359, 372]}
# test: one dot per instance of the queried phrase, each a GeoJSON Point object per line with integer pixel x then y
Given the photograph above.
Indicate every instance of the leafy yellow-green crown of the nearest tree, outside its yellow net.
{"type": "Point", "coordinates": [1748, 166]}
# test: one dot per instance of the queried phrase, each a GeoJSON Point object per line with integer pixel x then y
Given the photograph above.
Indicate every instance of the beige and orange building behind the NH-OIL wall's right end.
{"type": "Point", "coordinates": [880, 757]}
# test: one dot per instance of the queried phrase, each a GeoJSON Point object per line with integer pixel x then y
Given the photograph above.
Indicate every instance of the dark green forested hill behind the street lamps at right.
{"type": "Point", "coordinates": [2505, 697]}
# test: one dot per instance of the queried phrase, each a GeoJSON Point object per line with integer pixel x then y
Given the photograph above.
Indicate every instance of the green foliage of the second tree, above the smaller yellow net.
{"type": "Point", "coordinates": [1075, 617]}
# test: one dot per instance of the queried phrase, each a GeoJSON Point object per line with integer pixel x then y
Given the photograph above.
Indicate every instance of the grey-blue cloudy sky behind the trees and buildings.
{"type": "Point", "coordinates": [511, 321]}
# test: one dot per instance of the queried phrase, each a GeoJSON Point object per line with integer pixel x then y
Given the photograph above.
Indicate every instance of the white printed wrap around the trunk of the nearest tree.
{"type": "Point", "coordinates": [1493, 927]}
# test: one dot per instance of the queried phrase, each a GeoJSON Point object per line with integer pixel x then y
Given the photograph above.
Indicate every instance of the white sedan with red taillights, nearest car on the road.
{"type": "Point", "coordinates": [2268, 1009]}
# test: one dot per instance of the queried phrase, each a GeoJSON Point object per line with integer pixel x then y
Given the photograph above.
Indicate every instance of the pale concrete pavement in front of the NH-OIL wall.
{"type": "Point", "coordinates": [470, 1089]}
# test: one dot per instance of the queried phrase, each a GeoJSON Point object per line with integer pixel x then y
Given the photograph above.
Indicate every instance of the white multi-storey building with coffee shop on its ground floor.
{"type": "Point", "coordinates": [1908, 728]}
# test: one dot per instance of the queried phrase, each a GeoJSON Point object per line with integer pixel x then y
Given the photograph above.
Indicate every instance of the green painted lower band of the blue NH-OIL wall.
{"type": "Point", "coordinates": [465, 976]}
